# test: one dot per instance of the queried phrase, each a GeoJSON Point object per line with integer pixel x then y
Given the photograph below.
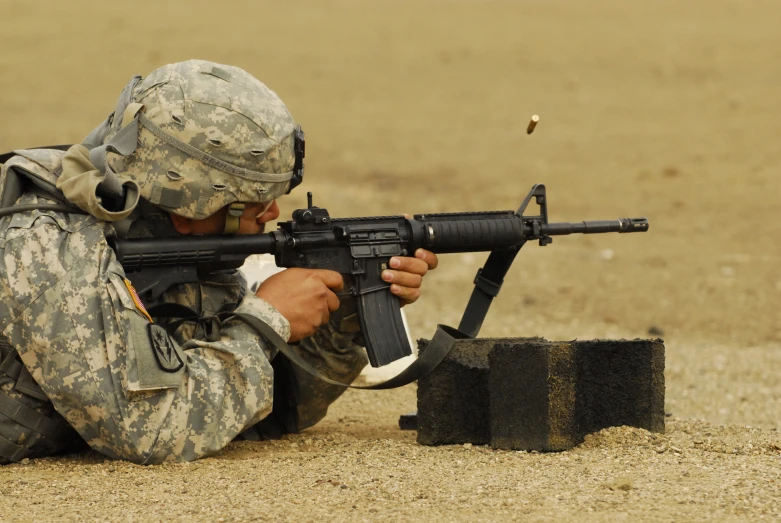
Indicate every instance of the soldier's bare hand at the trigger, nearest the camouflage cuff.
{"type": "Point", "coordinates": [305, 297]}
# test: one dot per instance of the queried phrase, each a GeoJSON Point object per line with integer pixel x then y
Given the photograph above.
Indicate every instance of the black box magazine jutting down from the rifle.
{"type": "Point", "coordinates": [383, 330]}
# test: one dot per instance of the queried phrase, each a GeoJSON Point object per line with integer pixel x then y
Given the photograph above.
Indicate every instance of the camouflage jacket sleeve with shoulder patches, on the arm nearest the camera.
{"type": "Point", "coordinates": [129, 389]}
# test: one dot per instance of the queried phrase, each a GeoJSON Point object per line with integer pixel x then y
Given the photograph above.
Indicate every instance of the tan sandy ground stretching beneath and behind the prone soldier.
{"type": "Point", "coordinates": [666, 109]}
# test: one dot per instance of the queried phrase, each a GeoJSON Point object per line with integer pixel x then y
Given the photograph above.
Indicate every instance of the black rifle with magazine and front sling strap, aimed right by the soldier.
{"type": "Point", "coordinates": [359, 249]}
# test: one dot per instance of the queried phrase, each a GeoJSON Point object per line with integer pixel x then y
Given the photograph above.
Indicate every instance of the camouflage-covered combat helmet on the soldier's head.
{"type": "Point", "coordinates": [197, 136]}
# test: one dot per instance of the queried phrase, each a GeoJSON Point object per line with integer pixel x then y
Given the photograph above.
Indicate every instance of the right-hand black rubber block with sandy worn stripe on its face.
{"type": "Point", "coordinates": [547, 396]}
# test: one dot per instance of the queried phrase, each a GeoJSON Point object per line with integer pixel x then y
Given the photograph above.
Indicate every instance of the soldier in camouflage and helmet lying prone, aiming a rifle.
{"type": "Point", "coordinates": [195, 148]}
